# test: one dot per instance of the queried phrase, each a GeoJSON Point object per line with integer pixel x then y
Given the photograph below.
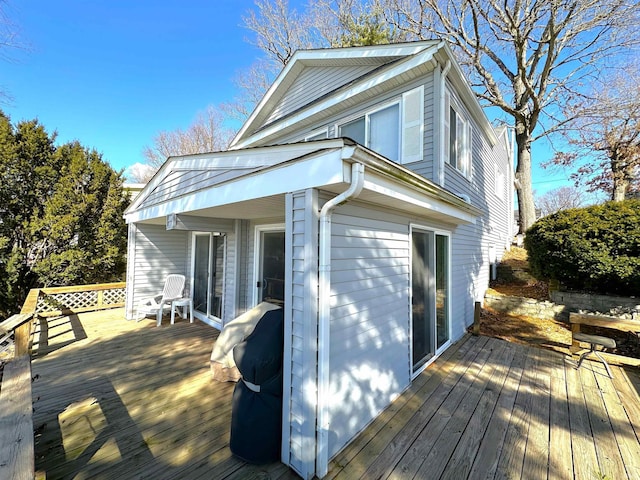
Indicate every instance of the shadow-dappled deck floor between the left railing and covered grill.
{"type": "Point", "coordinates": [115, 399]}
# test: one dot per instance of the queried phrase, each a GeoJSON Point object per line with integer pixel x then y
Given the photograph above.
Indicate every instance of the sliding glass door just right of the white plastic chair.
{"type": "Point", "coordinates": [208, 274]}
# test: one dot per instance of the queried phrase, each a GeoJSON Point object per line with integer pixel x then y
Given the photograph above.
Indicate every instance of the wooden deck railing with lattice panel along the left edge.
{"type": "Point", "coordinates": [16, 421]}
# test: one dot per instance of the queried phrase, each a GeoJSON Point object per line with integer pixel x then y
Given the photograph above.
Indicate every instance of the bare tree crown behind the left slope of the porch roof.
{"type": "Point", "coordinates": [206, 134]}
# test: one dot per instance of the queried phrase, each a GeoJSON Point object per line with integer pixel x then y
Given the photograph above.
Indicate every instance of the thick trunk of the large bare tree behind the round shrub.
{"type": "Point", "coordinates": [524, 190]}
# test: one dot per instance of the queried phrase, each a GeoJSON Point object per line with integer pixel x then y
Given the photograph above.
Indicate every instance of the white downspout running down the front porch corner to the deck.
{"type": "Point", "coordinates": [324, 298]}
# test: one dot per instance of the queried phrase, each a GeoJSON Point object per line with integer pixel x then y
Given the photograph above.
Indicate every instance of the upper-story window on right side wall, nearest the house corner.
{"type": "Point", "coordinates": [457, 136]}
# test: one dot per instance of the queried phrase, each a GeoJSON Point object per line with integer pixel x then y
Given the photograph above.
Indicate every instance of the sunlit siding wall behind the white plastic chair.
{"type": "Point", "coordinates": [156, 254]}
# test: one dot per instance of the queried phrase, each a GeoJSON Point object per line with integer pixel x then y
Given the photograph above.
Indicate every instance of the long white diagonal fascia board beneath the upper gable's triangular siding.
{"type": "Point", "coordinates": [339, 97]}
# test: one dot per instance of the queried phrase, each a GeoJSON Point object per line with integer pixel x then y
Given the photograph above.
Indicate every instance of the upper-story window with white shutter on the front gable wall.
{"type": "Point", "coordinates": [394, 130]}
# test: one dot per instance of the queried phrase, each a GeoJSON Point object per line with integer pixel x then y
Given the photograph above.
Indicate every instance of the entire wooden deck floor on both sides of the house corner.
{"type": "Point", "coordinates": [118, 400]}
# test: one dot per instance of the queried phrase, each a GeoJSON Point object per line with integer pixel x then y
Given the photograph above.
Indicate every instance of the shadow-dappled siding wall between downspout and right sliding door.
{"type": "Point", "coordinates": [369, 319]}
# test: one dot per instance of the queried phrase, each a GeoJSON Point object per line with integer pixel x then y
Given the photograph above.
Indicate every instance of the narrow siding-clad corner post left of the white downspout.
{"type": "Point", "coordinates": [301, 333]}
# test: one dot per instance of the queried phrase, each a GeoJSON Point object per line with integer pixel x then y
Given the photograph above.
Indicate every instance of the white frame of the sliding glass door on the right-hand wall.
{"type": "Point", "coordinates": [447, 344]}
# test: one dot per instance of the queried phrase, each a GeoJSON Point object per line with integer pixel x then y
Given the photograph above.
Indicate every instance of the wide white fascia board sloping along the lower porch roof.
{"type": "Point", "coordinates": [315, 171]}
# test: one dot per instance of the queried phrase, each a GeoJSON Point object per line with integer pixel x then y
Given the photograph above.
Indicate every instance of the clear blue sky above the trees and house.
{"type": "Point", "coordinates": [112, 74]}
